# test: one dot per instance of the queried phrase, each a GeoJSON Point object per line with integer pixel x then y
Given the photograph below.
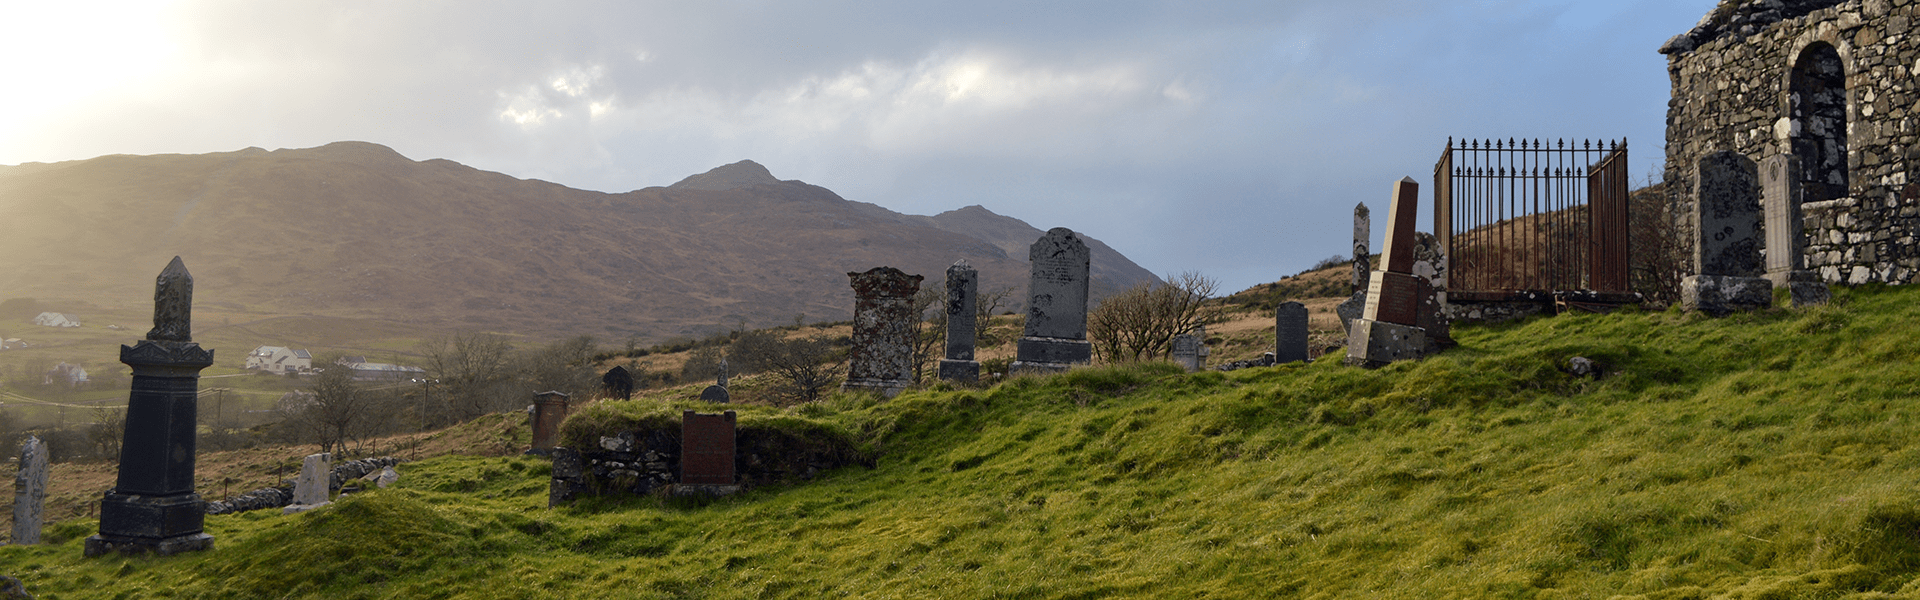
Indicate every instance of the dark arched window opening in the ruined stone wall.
{"type": "Point", "coordinates": [1817, 105]}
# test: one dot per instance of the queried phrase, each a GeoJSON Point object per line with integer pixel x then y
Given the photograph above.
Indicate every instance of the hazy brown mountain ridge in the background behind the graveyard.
{"type": "Point", "coordinates": [354, 230]}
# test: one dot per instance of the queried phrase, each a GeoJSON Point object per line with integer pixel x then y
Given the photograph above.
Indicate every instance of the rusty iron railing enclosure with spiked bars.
{"type": "Point", "coordinates": [1527, 218]}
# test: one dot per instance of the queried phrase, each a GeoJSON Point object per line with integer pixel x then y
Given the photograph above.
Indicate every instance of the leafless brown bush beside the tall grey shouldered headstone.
{"type": "Point", "coordinates": [1141, 322]}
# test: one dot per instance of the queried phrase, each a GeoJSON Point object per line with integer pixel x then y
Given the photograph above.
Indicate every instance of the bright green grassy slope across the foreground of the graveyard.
{"type": "Point", "coordinates": [1754, 457]}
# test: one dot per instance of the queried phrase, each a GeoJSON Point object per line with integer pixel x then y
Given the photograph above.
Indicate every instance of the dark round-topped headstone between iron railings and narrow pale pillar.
{"type": "Point", "coordinates": [1727, 253]}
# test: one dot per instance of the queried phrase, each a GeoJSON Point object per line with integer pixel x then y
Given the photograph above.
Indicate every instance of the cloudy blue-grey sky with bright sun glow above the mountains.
{"type": "Point", "coordinates": [1220, 137]}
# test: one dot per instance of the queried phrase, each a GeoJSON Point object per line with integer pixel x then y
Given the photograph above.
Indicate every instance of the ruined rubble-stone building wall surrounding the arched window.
{"type": "Point", "coordinates": [1731, 91]}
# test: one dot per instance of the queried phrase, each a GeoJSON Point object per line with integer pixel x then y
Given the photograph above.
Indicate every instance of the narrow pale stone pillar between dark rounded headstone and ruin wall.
{"type": "Point", "coordinates": [1781, 203]}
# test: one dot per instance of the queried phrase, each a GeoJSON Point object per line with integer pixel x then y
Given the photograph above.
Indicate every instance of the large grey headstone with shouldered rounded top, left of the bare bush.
{"type": "Point", "coordinates": [1057, 305]}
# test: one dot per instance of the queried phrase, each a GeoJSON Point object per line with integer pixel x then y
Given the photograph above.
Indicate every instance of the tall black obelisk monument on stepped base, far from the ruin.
{"type": "Point", "coordinates": [153, 507]}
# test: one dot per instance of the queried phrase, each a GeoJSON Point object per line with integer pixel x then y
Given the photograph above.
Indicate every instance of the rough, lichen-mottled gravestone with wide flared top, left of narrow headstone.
{"type": "Point", "coordinates": [882, 357]}
